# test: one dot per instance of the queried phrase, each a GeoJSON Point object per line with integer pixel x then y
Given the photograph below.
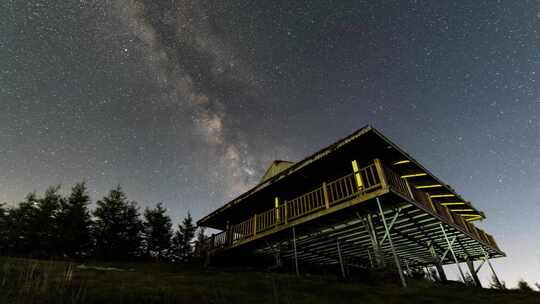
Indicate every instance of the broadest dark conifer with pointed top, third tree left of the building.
{"type": "Point", "coordinates": [117, 227]}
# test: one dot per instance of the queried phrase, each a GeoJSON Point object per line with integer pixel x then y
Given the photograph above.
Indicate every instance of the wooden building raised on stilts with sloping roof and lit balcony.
{"type": "Point", "coordinates": [361, 202]}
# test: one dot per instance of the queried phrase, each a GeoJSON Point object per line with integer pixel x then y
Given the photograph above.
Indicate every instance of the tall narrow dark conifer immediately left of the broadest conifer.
{"type": "Point", "coordinates": [75, 223]}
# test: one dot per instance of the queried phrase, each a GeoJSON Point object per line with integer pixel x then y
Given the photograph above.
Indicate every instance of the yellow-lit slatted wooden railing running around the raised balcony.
{"type": "Point", "coordinates": [336, 192]}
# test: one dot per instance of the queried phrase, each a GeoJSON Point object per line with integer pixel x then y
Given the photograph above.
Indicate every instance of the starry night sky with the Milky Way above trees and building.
{"type": "Point", "coordinates": [187, 102]}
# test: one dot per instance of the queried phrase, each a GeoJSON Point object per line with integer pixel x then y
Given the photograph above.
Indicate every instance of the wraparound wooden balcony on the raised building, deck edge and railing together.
{"type": "Point", "coordinates": [363, 184]}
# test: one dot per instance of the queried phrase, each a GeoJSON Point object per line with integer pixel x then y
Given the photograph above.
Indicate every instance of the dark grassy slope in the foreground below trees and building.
{"type": "Point", "coordinates": [34, 281]}
